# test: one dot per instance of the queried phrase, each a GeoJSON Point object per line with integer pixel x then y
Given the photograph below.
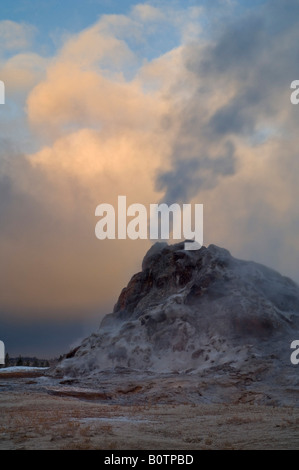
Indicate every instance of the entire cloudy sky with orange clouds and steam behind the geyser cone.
{"type": "Point", "coordinates": [175, 102]}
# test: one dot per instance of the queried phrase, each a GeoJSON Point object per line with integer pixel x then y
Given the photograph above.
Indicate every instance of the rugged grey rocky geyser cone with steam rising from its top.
{"type": "Point", "coordinates": [193, 311]}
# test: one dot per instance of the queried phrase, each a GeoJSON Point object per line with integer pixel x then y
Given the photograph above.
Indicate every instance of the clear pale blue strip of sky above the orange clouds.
{"type": "Point", "coordinates": [54, 18]}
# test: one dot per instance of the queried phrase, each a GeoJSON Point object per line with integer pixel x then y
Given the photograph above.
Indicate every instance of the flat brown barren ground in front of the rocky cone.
{"type": "Point", "coordinates": [38, 420]}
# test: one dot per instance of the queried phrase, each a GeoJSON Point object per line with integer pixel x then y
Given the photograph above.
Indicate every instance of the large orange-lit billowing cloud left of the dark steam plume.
{"type": "Point", "coordinates": [100, 138]}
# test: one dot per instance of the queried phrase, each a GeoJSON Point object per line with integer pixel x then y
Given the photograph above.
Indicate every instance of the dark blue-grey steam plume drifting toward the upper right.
{"type": "Point", "coordinates": [251, 60]}
